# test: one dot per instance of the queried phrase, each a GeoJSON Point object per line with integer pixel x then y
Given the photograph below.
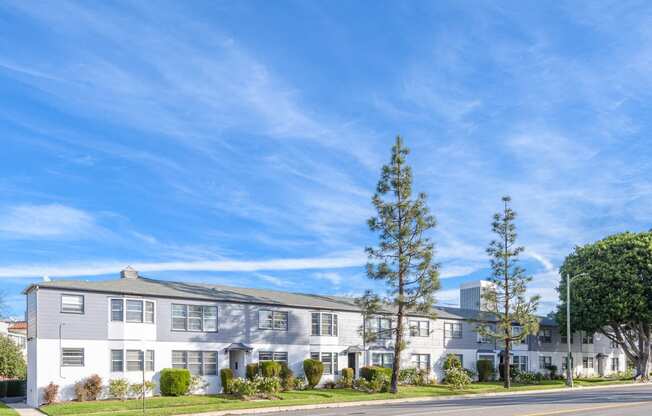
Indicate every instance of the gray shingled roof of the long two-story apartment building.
{"type": "Point", "coordinates": [142, 286]}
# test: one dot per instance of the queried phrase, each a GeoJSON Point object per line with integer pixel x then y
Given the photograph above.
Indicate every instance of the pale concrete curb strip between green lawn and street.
{"type": "Point", "coordinates": [335, 405]}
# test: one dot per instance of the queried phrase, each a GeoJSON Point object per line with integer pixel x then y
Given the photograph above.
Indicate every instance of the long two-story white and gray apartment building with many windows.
{"type": "Point", "coordinates": [122, 327]}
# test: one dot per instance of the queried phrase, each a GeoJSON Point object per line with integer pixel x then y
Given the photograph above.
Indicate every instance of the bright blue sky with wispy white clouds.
{"type": "Point", "coordinates": [240, 142]}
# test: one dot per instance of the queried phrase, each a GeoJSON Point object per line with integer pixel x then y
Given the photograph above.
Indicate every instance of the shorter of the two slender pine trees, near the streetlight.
{"type": "Point", "coordinates": [506, 297]}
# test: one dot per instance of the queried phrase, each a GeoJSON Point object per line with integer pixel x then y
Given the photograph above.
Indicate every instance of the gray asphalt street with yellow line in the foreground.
{"type": "Point", "coordinates": [619, 401]}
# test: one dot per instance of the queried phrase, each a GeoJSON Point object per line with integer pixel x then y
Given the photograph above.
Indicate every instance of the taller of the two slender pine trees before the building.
{"type": "Point", "coordinates": [404, 256]}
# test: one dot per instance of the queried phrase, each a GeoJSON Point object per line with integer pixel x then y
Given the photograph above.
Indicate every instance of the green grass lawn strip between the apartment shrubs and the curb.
{"type": "Point", "coordinates": [161, 406]}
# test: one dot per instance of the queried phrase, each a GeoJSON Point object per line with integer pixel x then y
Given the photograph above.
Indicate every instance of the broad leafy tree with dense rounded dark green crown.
{"type": "Point", "coordinates": [611, 293]}
